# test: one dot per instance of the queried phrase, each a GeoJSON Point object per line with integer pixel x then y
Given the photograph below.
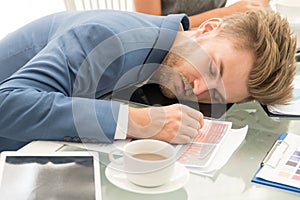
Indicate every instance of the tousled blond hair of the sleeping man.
{"type": "Point", "coordinates": [268, 36]}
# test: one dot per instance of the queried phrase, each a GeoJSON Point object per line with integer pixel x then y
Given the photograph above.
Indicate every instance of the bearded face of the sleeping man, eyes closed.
{"type": "Point", "coordinates": [216, 72]}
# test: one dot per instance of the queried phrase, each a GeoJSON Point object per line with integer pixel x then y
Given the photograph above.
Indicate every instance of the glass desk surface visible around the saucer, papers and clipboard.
{"type": "Point", "coordinates": [233, 182]}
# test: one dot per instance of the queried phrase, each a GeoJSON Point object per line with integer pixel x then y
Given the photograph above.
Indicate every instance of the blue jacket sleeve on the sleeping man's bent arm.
{"type": "Point", "coordinates": [55, 94]}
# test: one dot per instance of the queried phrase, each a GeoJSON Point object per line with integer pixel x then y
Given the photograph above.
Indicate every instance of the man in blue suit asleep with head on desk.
{"type": "Point", "coordinates": [56, 71]}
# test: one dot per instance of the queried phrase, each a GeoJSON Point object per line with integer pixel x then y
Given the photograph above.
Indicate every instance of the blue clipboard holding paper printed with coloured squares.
{"type": "Point", "coordinates": [281, 166]}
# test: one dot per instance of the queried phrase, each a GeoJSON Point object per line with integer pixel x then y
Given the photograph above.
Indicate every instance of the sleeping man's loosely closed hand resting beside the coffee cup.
{"type": "Point", "coordinates": [175, 123]}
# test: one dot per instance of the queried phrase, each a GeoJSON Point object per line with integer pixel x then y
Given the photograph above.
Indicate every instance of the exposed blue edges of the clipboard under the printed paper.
{"type": "Point", "coordinates": [271, 183]}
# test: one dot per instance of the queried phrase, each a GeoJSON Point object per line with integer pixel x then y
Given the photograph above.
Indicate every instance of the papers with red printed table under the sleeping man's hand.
{"type": "Point", "coordinates": [212, 148]}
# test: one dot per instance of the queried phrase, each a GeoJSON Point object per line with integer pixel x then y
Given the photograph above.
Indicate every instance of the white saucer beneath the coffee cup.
{"type": "Point", "coordinates": [118, 178]}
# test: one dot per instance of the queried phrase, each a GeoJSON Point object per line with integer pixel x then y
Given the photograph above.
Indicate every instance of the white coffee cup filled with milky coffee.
{"type": "Point", "coordinates": [147, 162]}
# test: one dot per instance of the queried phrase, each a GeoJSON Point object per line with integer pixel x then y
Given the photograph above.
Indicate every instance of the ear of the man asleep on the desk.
{"type": "Point", "coordinates": [208, 26]}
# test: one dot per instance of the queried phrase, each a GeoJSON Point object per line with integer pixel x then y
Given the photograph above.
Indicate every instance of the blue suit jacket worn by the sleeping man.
{"type": "Point", "coordinates": [55, 69]}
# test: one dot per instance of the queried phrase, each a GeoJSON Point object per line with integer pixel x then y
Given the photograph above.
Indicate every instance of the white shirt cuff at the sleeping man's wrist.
{"type": "Point", "coordinates": [122, 123]}
